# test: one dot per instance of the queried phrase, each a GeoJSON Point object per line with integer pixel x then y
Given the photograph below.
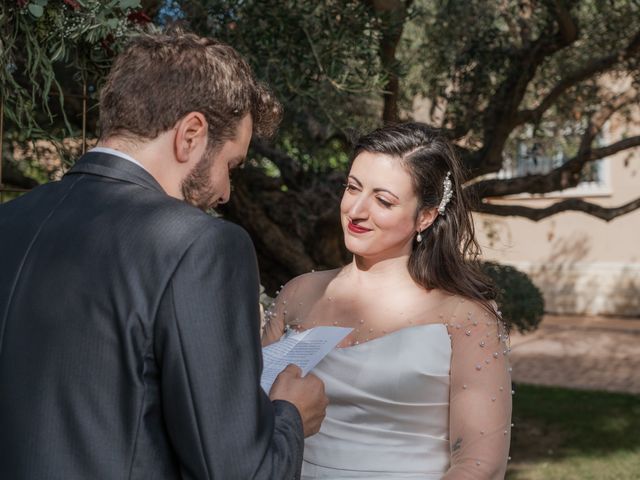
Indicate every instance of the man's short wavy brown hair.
{"type": "Point", "coordinates": [160, 78]}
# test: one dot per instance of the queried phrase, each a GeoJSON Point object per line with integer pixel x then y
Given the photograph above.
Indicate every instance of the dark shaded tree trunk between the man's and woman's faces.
{"type": "Point", "coordinates": [293, 231]}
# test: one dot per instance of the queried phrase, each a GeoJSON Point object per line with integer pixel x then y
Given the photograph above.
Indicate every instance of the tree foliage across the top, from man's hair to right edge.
{"type": "Point", "coordinates": [323, 61]}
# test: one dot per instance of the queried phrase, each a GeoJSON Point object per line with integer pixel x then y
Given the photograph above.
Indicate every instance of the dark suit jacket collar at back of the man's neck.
{"type": "Point", "coordinates": [112, 166]}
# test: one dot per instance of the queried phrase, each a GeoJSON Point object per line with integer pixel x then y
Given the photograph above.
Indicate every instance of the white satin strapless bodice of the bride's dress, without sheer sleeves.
{"type": "Point", "coordinates": [388, 413]}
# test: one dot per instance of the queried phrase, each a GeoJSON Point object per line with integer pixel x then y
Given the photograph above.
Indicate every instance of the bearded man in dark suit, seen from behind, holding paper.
{"type": "Point", "coordinates": [129, 321]}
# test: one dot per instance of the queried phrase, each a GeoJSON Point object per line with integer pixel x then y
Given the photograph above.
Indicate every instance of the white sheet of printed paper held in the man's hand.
{"type": "Point", "coordinates": [304, 349]}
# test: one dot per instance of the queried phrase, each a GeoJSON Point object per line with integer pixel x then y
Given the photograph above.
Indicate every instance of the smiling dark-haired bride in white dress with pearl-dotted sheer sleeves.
{"type": "Point", "coordinates": [420, 389]}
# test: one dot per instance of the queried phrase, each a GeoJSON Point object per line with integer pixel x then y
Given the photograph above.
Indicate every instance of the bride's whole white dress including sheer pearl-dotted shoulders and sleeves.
{"type": "Point", "coordinates": [429, 400]}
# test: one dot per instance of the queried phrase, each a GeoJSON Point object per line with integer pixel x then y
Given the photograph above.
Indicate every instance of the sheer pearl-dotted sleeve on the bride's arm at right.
{"type": "Point", "coordinates": [480, 394]}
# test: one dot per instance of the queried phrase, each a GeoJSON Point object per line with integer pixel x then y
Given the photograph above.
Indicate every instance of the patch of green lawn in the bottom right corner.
{"type": "Point", "coordinates": [574, 435]}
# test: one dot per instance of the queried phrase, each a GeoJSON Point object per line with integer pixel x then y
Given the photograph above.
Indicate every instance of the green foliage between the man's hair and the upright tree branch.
{"type": "Point", "coordinates": [320, 58]}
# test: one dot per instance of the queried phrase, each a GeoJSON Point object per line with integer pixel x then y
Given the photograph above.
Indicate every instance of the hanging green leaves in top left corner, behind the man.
{"type": "Point", "coordinates": [43, 43]}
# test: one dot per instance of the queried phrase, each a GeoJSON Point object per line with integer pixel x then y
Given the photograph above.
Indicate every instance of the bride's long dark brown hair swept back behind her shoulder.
{"type": "Point", "coordinates": [446, 258]}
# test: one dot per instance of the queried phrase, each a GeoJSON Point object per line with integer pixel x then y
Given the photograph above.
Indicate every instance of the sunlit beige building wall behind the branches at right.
{"type": "Point", "coordinates": [583, 265]}
